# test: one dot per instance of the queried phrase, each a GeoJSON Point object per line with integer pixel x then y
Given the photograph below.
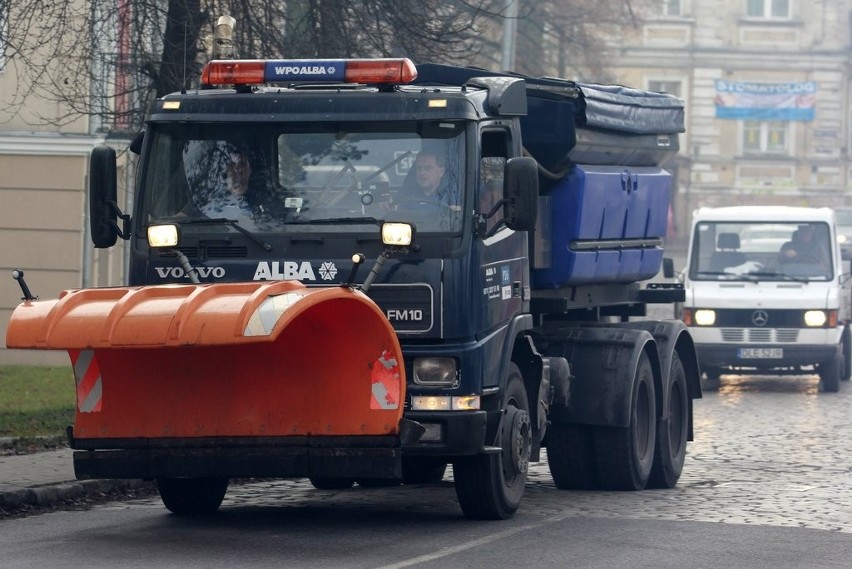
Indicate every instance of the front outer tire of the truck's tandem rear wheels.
{"type": "Point", "coordinates": [625, 455]}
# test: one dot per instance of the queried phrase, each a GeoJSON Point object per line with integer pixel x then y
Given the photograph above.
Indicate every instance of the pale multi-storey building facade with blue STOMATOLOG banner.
{"type": "Point", "coordinates": [766, 85]}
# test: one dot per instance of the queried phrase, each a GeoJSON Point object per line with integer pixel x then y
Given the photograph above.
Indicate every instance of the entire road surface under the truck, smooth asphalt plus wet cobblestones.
{"type": "Point", "coordinates": [767, 483]}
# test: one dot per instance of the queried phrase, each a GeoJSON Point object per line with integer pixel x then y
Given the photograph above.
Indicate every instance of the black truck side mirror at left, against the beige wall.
{"type": "Point", "coordinates": [103, 199]}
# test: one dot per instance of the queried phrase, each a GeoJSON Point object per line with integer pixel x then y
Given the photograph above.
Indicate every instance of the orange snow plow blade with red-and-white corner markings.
{"type": "Point", "coordinates": [222, 360]}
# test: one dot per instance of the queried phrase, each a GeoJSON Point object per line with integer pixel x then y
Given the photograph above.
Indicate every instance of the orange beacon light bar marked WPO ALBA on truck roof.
{"type": "Point", "coordinates": [259, 71]}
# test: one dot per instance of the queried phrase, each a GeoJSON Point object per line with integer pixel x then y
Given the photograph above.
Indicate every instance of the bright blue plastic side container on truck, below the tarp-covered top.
{"type": "Point", "coordinates": [599, 217]}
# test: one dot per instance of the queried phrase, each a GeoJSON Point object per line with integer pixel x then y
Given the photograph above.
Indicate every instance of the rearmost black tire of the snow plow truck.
{"type": "Point", "coordinates": [672, 430]}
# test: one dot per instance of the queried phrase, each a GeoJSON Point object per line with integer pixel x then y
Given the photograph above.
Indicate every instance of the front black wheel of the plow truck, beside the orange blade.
{"type": "Point", "coordinates": [490, 486]}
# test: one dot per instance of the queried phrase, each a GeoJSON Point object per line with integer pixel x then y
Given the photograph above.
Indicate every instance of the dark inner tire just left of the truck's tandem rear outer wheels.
{"type": "Point", "coordinates": [569, 457]}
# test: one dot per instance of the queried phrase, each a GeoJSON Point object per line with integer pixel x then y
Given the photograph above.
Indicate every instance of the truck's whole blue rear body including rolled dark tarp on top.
{"type": "Point", "coordinates": [603, 208]}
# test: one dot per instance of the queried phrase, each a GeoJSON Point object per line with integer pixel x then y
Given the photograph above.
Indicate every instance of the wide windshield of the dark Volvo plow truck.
{"type": "Point", "coordinates": [307, 177]}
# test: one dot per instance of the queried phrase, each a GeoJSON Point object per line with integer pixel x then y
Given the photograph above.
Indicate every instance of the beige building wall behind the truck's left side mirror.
{"type": "Point", "coordinates": [43, 207]}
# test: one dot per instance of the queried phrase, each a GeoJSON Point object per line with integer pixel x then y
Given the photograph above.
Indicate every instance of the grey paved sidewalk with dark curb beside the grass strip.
{"type": "Point", "coordinates": [46, 479]}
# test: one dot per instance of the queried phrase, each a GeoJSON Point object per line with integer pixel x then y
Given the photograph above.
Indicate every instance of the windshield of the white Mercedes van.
{"type": "Point", "coordinates": [761, 251]}
